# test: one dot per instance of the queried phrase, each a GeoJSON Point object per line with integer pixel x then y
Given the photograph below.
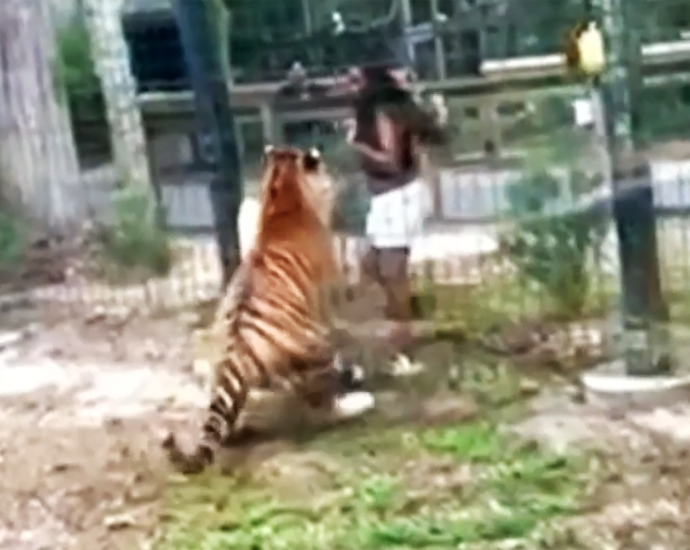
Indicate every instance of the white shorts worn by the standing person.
{"type": "Point", "coordinates": [396, 218]}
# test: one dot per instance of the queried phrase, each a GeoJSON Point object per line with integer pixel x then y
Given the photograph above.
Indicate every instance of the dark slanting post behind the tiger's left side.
{"type": "Point", "coordinates": [212, 102]}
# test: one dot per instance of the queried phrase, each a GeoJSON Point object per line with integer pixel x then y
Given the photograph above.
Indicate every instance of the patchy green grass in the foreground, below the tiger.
{"type": "Point", "coordinates": [428, 489]}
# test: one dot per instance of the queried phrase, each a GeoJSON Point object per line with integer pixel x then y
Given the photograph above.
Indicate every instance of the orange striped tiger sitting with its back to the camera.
{"type": "Point", "coordinates": [272, 321]}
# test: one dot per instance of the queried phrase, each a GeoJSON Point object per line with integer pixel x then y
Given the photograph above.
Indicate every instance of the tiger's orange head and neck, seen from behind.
{"type": "Point", "coordinates": [296, 190]}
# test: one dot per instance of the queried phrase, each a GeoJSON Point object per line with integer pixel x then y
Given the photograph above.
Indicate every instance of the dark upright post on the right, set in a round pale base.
{"type": "Point", "coordinates": [645, 345]}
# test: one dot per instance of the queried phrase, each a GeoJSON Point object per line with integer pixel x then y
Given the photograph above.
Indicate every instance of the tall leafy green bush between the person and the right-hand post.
{"type": "Point", "coordinates": [551, 242]}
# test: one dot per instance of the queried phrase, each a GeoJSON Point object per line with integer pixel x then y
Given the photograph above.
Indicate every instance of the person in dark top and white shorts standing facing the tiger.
{"type": "Point", "coordinates": [390, 133]}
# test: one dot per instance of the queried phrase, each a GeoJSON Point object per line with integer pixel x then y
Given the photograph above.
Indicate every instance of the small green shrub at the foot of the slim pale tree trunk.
{"type": "Point", "coordinates": [135, 239]}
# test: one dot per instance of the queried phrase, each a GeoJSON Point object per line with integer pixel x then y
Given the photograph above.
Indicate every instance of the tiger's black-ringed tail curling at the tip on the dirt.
{"type": "Point", "coordinates": [228, 400]}
